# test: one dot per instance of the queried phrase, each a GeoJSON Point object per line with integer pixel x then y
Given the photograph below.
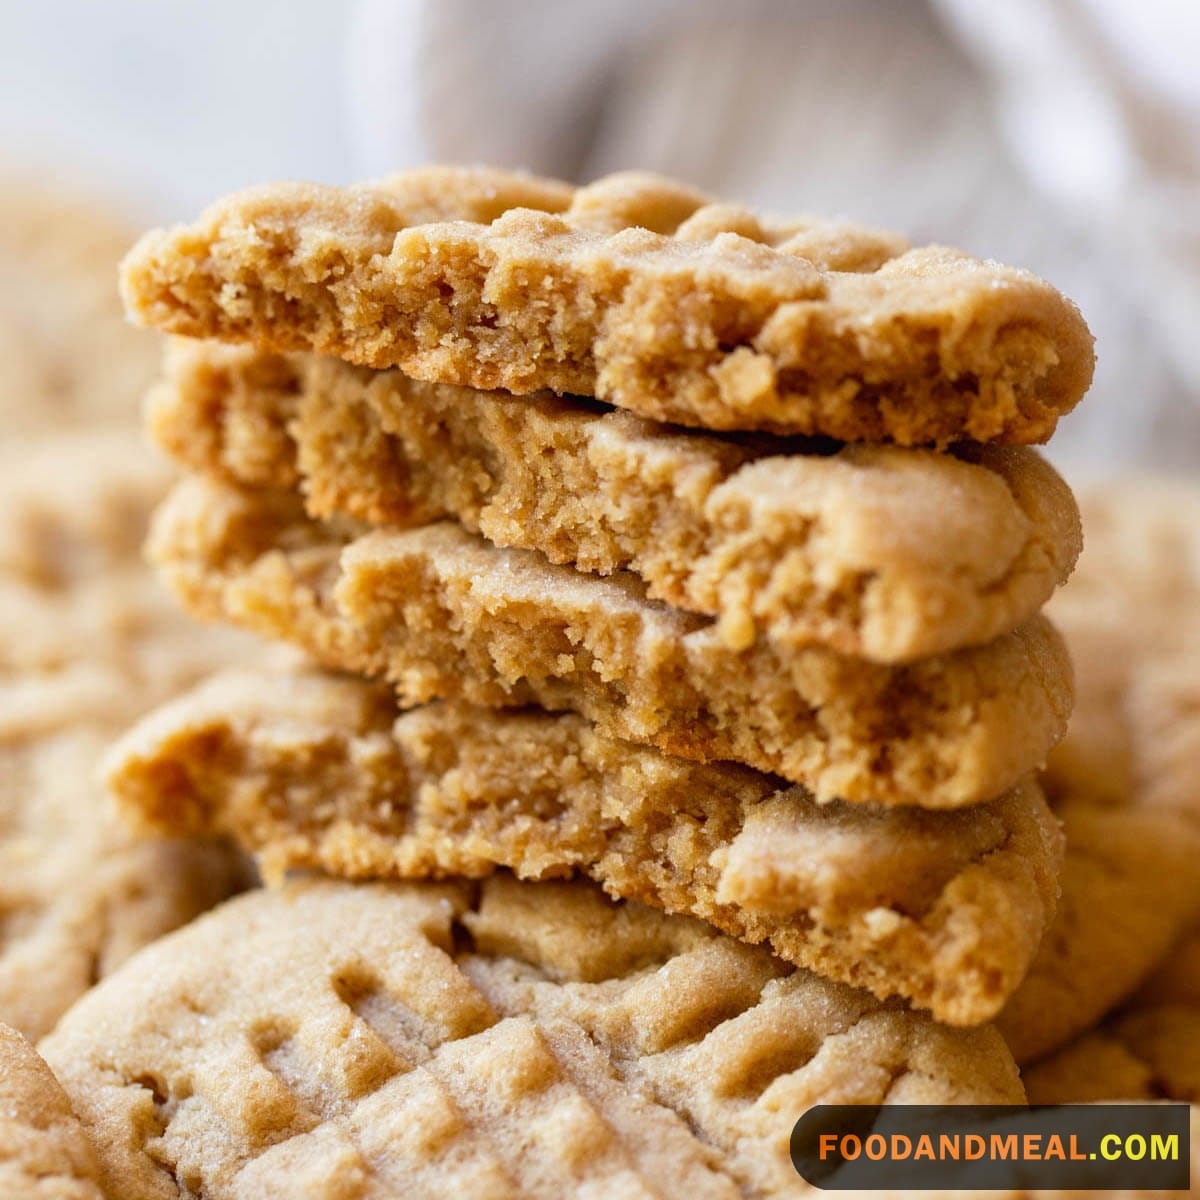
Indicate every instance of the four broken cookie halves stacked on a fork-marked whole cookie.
{"type": "Point", "coordinates": [638, 545]}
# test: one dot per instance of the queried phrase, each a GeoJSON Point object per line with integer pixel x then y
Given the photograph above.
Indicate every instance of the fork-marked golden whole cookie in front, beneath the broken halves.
{"type": "Point", "coordinates": [518, 1041]}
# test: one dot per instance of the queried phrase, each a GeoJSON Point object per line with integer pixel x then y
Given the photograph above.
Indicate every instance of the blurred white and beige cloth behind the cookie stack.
{"type": "Point", "coordinates": [1058, 135]}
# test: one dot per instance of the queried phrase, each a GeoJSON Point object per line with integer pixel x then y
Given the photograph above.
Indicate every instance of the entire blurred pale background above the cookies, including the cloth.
{"type": "Point", "coordinates": [1058, 135]}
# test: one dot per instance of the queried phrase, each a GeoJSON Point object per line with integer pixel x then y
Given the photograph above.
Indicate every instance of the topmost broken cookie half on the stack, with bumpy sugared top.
{"type": "Point", "coordinates": [634, 290]}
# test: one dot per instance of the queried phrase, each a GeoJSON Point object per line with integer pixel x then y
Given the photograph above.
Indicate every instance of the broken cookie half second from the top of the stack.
{"type": "Point", "coordinates": [874, 551]}
